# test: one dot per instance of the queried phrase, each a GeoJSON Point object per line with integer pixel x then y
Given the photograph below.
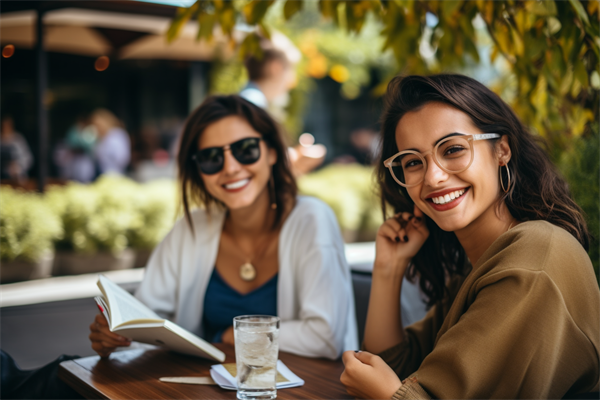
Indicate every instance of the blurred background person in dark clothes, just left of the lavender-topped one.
{"type": "Point", "coordinates": [74, 155]}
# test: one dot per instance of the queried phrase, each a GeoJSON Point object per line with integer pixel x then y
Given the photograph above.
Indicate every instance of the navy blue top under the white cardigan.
{"type": "Point", "coordinates": [222, 303]}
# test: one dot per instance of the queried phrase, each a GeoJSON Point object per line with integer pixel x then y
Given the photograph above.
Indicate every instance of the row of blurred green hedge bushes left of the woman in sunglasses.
{"type": "Point", "coordinates": [110, 215]}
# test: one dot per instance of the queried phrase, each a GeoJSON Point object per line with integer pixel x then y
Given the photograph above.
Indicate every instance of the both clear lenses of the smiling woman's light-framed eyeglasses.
{"type": "Point", "coordinates": [453, 154]}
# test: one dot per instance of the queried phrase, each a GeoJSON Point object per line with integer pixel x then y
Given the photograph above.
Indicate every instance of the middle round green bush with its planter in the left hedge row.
{"type": "Point", "coordinates": [96, 219]}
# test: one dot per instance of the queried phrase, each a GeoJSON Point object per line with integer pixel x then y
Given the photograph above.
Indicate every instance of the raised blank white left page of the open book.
{"type": "Point", "coordinates": [122, 305]}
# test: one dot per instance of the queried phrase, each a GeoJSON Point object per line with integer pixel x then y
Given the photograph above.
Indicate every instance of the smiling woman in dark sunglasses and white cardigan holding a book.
{"type": "Point", "coordinates": [252, 247]}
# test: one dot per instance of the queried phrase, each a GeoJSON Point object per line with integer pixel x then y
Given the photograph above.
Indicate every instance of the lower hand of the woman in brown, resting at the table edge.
{"type": "Point", "coordinates": [367, 376]}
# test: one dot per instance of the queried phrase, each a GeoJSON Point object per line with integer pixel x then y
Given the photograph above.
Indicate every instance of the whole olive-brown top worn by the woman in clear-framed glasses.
{"type": "Point", "coordinates": [524, 324]}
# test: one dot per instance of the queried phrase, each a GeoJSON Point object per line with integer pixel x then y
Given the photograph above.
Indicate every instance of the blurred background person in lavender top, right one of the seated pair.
{"type": "Point", "coordinates": [112, 152]}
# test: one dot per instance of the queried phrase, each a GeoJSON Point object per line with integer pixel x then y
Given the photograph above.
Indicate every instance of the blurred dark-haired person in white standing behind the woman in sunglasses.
{"type": "Point", "coordinates": [271, 76]}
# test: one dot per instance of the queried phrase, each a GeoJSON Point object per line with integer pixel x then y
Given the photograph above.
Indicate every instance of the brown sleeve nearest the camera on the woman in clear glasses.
{"type": "Point", "coordinates": [508, 344]}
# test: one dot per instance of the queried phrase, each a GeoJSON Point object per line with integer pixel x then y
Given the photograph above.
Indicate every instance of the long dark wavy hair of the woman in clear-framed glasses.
{"type": "Point", "coordinates": [537, 191]}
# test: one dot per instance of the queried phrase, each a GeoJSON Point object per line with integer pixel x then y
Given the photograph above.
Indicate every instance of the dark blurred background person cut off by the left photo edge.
{"type": "Point", "coordinates": [15, 156]}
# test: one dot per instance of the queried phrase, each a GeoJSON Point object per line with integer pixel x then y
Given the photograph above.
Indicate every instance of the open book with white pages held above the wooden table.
{"type": "Point", "coordinates": [128, 317]}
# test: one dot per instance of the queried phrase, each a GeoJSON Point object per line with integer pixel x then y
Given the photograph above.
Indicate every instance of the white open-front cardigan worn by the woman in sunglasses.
{"type": "Point", "coordinates": [314, 288]}
